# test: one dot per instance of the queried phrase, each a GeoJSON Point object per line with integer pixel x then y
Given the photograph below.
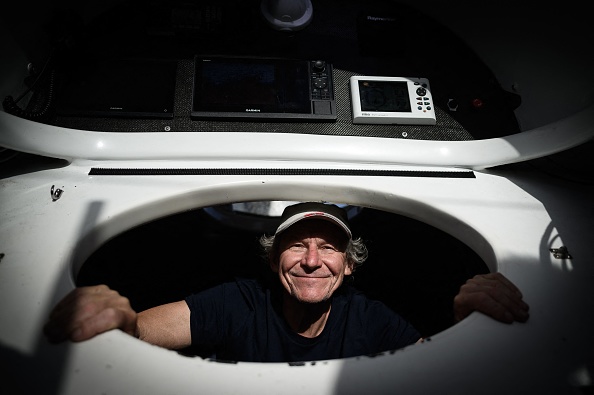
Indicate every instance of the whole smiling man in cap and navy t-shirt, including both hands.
{"type": "Point", "coordinates": [308, 314]}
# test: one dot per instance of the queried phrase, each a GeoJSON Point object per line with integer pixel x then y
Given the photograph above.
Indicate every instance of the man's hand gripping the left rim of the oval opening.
{"type": "Point", "coordinates": [88, 311]}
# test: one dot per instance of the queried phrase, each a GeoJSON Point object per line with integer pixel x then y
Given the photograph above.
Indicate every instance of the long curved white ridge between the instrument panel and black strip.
{"type": "Point", "coordinates": [27, 136]}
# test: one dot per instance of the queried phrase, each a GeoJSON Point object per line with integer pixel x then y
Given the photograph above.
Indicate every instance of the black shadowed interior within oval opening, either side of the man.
{"type": "Point", "coordinates": [412, 267]}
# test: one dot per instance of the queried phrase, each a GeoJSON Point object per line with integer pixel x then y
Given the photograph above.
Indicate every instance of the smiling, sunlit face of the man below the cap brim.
{"type": "Point", "coordinates": [312, 260]}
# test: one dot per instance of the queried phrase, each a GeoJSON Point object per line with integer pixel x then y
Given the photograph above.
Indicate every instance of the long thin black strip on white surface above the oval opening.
{"type": "Point", "coordinates": [102, 171]}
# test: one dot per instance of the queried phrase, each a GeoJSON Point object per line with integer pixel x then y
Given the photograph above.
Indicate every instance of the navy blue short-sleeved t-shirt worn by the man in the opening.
{"type": "Point", "coordinates": [242, 321]}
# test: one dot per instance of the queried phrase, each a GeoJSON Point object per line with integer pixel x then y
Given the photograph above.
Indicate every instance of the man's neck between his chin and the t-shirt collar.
{"type": "Point", "coordinates": [306, 319]}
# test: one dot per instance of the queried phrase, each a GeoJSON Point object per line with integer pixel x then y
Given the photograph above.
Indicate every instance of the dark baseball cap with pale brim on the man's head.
{"type": "Point", "coordinates": [300, 211]}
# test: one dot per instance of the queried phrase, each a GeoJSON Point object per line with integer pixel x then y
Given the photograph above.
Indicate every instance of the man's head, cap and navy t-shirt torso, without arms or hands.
{"type": "Point", "coordinates": [308, 314]}
